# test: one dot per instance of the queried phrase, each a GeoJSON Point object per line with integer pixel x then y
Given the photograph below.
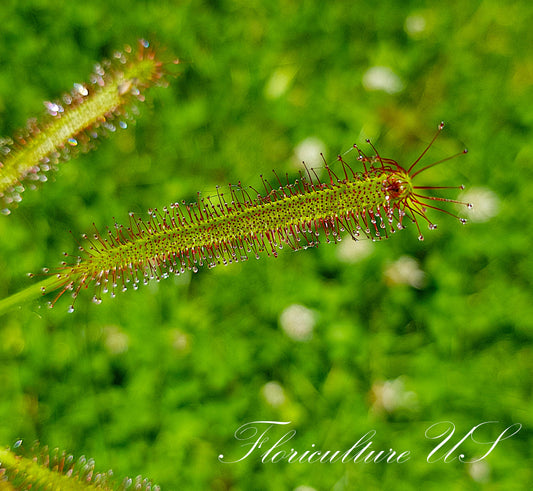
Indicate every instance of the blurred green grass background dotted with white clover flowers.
{"type": "Point", "coordinates": [340, 340]}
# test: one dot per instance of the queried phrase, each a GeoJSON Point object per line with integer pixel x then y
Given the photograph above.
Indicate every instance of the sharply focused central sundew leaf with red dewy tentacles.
{"type": "Point", "coordinates": [370, 204]}
